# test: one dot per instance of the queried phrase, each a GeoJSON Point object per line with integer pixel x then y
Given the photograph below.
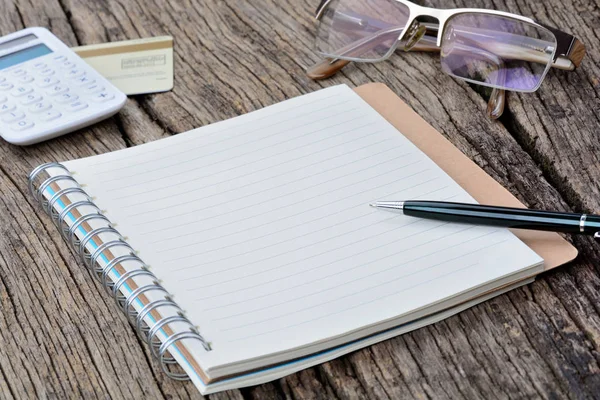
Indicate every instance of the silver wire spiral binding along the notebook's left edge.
{"type": "Point", "coordinates": [160, 349]}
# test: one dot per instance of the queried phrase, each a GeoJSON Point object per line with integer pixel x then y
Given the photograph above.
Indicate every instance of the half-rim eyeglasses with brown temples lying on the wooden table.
{"type": "Point", "coordinates": [491, 48]}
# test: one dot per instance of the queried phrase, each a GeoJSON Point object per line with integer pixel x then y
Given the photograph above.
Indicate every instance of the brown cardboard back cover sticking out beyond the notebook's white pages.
{"type": "Point", "coordinates": [551, 247]}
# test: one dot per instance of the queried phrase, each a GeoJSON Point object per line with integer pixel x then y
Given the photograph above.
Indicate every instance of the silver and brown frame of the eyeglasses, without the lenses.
{"type": "Point", "coordinates": [568, 54]}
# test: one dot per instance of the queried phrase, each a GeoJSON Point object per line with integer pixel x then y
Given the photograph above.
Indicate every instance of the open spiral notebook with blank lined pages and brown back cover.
{"type": "Point", "coordinates": [246, 250]}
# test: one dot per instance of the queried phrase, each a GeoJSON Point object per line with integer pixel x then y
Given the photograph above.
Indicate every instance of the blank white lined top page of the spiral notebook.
{"type": "Point", "coordinates": [260, 225]}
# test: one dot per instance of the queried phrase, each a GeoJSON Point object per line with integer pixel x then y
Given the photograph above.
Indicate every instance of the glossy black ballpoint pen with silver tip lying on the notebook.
{"type": "Point", "coordinates": [507, 217]}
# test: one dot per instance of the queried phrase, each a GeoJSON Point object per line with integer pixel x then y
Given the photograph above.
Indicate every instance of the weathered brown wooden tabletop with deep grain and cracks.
{"type": "Point", "coordinates": [61, 335]}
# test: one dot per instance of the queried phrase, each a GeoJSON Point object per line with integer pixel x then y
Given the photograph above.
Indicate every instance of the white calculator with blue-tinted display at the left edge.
{"type": "Point", "coordinates": [46, 90]}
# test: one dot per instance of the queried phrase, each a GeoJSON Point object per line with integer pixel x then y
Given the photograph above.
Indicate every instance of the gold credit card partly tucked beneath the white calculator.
{"type": "Point", "coordinates": [134, 66]}
